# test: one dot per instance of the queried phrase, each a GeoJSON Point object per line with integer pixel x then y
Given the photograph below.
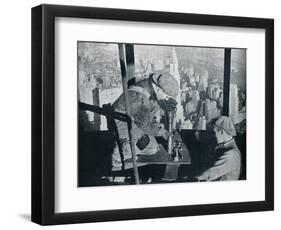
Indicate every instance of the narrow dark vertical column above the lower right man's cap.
{"type": "Point", "coordinates": [226, 81]}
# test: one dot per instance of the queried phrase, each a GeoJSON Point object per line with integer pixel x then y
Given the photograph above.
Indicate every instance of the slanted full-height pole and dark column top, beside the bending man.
{"type": "Point", "coordinates": [126, 56]}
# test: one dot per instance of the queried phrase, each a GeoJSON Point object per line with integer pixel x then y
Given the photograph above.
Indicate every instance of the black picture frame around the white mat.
{"type": "Point", "coordinates": [43, 114]}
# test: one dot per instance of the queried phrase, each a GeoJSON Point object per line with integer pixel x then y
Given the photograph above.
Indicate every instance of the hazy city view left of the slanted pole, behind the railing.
{"type": "Point", "coordinates": [99, 80]}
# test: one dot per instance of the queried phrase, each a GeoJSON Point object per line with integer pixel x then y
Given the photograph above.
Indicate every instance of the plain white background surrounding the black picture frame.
{"type": "Point", "coordinates": [15, 113]}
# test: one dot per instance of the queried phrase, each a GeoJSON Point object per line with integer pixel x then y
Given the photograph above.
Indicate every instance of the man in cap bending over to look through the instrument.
{"type": "Point", "coordinates": [146, 98]}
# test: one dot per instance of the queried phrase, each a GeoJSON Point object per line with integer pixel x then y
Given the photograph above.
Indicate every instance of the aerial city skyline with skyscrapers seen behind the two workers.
{"type": "Point", "coordinates": [198, 71]}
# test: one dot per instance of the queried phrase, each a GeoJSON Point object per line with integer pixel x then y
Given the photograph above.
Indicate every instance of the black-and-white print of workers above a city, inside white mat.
{"type": "Point", "coordinates": [153, 114]}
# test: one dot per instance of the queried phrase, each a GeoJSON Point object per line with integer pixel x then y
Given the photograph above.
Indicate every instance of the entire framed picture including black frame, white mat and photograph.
{"type": "Point", "coordinates": [140, 114]}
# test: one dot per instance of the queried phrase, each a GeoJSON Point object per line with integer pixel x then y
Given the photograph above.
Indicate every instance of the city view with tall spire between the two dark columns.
{"type": "Point", "coordinates": [199, 71]}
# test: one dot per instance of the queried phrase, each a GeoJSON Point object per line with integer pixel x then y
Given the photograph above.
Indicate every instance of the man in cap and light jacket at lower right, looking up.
{"type": "Point", "coordinates": [225, 161]}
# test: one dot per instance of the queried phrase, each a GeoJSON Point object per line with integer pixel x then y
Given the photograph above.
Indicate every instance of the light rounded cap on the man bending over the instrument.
{"type": "Point", "coordinates": [167, 83]}
